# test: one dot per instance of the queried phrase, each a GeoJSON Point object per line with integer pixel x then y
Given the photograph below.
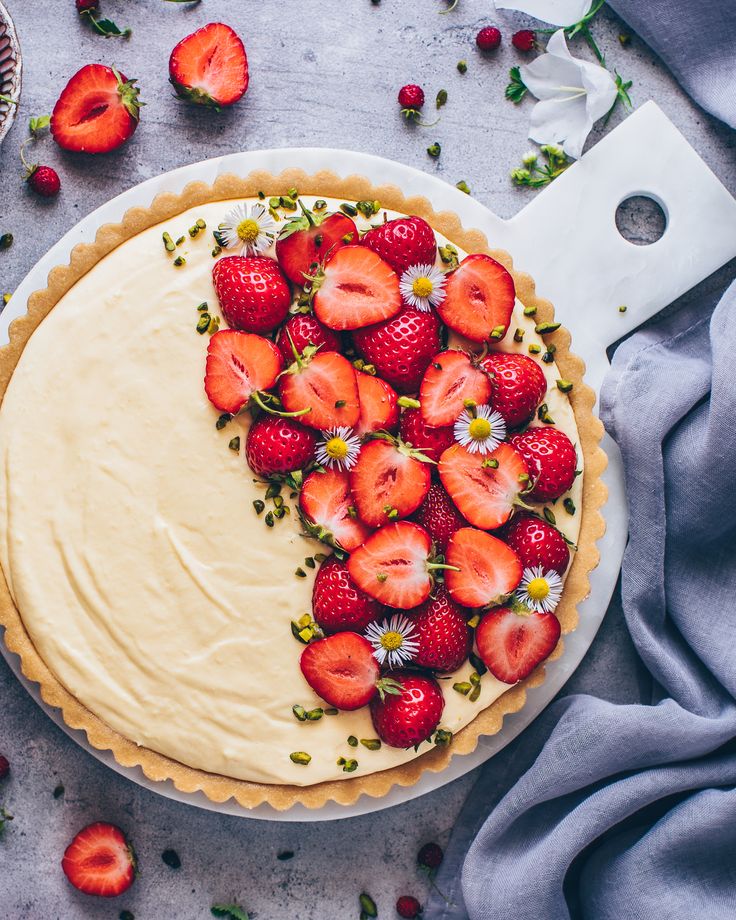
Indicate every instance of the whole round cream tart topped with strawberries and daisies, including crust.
{"type": "Point", "coordinates": [301, 489]}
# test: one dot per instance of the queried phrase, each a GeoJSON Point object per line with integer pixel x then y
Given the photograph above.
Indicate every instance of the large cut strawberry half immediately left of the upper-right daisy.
{"type": "Point", "coordinates": [357, 289]}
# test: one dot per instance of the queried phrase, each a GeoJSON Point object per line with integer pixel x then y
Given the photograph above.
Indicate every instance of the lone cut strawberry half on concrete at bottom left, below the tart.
{"type": "Point", "coordinates": [100, 861]}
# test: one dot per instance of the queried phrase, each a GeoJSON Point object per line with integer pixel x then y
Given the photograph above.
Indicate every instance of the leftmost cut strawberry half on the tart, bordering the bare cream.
{"type": "Point", "coordinates": [238, 364]}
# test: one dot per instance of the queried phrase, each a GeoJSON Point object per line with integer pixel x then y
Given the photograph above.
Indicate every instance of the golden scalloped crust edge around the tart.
{"type": "Point", "coordinates": [218, 788]}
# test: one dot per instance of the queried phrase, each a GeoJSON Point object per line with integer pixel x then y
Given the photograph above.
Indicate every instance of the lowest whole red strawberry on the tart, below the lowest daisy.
{"type": "Point", "coordinates": [410, 717]}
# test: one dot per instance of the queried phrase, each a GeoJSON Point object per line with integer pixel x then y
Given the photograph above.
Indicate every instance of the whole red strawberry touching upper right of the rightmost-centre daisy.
{"type": "Point", "coordinates": [518, 385]}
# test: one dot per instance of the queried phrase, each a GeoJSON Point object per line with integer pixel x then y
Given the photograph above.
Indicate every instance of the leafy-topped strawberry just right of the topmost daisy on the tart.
{"type": "Point", "coordinates": [305, 241]}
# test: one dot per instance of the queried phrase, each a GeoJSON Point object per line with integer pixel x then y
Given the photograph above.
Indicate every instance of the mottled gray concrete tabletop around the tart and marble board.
{"type": "Point", "coordinates": [323, 73]}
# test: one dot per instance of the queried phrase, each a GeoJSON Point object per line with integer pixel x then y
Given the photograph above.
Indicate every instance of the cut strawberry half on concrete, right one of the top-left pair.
{"type": "Point", "coordinates": [210, 66]}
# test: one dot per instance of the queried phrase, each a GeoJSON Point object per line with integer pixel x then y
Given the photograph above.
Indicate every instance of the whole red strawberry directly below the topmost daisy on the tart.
{"type": "Point", "coordinates": [253, 293]}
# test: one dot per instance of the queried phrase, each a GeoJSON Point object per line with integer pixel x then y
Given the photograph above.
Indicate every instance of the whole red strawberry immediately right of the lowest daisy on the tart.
{"type": "Point", "coordinates": [445, 639]}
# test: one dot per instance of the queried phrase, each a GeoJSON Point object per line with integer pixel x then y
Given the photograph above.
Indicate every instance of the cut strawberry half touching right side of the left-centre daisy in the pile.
{"type": "Point", "coordinates": [388, 481]}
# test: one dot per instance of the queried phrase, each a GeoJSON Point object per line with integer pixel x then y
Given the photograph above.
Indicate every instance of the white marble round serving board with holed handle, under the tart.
{"type": "Point", "coordinates": [568, 241]}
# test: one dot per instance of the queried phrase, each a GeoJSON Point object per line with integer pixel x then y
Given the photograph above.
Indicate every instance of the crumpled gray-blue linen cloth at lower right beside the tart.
{"type": "Point", "coordinates": [627, 811]}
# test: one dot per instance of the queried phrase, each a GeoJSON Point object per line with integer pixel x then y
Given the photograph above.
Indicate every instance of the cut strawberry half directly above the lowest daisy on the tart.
{"type": "Point", "coordinates": [393, 565]}
